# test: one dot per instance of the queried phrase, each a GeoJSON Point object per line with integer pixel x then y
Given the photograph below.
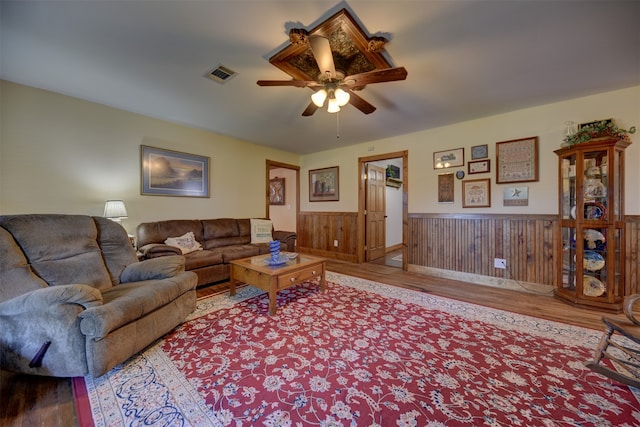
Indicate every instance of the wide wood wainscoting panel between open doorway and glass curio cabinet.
{"type": "Point", "coordinates": [470, 243]}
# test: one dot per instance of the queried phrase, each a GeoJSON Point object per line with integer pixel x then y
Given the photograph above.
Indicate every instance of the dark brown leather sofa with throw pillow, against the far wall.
{"type": "Point", "coordinates": [222, 240]}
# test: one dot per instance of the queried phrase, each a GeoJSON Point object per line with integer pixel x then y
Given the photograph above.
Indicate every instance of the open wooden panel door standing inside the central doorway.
{"type": "Point", "coordinates": [375, 224]}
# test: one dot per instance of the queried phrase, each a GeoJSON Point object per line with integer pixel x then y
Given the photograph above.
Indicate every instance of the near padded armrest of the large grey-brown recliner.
{"type": "Point", "coordinates": [43, 299]}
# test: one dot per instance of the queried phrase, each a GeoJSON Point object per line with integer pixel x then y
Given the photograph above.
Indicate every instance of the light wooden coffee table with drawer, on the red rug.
{"type": "Point", "coordinates": [272, 278]}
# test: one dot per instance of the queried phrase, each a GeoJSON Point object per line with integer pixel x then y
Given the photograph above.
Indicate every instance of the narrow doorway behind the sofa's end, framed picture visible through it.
{"type": "Point", "coordinates": [282, 204]}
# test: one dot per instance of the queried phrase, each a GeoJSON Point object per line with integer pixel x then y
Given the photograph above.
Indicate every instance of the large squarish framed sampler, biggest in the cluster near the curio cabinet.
{"type": "Point", "coordinates": [517, 160]}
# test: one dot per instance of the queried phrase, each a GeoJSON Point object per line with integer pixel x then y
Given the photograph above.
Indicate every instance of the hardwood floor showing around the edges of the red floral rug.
{"type": "Point", "coordinates": [38, 401]}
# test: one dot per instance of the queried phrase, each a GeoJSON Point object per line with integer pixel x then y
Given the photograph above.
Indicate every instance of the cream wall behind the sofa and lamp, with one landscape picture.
{"type": "Point", "coordinates": [63, 155]}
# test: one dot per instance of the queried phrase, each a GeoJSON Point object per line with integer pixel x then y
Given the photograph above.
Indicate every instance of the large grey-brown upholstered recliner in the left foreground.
{"type": "Point", "coordinates": [75, 300]}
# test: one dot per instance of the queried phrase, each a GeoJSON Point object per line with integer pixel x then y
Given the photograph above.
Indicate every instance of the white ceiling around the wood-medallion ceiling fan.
{"type": "Point", "coordinates": [465, 60]}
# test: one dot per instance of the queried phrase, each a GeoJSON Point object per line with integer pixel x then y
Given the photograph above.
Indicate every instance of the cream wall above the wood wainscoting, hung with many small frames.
{"type": "Point", "coordinates": [546, 122]}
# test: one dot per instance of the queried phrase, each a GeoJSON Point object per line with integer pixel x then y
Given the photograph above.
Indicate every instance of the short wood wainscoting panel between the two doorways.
{"type": "Point", "coordinates": [317, 232]}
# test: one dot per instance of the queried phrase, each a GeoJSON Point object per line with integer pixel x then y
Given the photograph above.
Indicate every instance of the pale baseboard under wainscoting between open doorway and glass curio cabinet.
{"type": "Point", "coordinates": [495, 282]}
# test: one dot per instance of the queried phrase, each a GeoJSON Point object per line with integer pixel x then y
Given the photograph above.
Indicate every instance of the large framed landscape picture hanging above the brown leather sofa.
{"type": "Point", "coordinates": [173, 173]}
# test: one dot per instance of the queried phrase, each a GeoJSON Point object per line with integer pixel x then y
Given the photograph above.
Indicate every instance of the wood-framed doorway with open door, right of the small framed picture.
{"type": "Point", "coordinates": [377, 184]}
